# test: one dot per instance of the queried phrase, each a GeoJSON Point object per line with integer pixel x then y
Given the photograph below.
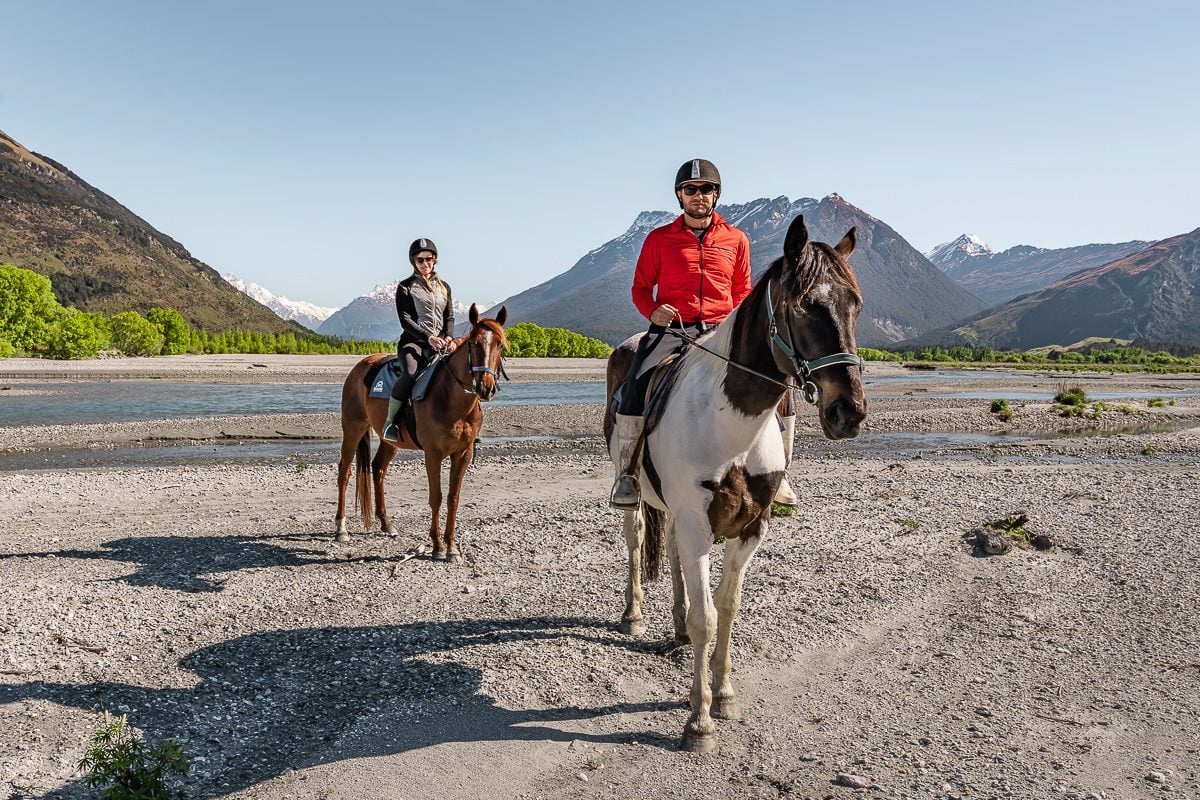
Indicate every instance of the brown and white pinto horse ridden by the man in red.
{"type": "Point", "coordinates": [712, 465]}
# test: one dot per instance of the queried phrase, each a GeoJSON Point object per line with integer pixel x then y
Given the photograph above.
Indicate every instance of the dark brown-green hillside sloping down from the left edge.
{"type": "Point", "coordinates": [100, 256]}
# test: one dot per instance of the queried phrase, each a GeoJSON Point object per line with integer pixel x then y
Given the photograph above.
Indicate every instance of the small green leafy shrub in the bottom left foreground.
{"type": "Point", "coordinates": [121, 760]}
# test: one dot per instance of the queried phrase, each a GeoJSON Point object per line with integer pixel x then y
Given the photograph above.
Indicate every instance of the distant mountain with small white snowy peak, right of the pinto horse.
{"type": "Point", "coordinates": [999, 278]}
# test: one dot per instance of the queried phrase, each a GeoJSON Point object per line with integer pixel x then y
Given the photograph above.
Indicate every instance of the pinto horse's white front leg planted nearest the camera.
{"type": "Point", "coordinates": [694, 540]}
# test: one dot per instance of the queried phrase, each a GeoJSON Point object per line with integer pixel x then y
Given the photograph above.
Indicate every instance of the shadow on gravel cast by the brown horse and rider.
{"type": "Point", "coordinates": [195, 563]}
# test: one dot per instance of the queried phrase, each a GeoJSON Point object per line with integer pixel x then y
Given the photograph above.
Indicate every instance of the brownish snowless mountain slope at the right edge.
{"type": "Point", "coordinates": [1149, 294]}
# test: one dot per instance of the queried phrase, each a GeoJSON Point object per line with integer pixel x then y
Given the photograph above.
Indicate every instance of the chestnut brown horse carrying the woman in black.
{"type": "Point", "coordinates": [448, 422]}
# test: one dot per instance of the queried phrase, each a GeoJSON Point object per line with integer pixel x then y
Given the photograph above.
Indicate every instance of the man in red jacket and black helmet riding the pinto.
{"type": "Point", "coordinates": [700, 267]}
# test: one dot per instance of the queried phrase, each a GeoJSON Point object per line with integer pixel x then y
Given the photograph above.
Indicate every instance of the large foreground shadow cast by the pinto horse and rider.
{"type": "Point", "coordinates": [273, 702]}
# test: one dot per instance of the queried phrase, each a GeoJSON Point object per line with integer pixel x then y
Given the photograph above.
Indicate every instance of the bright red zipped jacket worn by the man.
{"type": "Point", "coordinates": [705, 282]}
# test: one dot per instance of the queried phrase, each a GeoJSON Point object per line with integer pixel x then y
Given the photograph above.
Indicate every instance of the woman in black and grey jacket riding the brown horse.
{"type": "Point", "coordinates": [427, 321]}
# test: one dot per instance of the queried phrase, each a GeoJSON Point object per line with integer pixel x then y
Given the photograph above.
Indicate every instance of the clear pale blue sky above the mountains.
{"type": "Point", "coordinates": [303, 146]}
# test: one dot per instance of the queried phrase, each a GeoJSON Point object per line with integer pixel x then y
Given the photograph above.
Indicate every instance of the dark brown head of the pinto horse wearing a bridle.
{"type": "Point", "coordinates": [814, 316]}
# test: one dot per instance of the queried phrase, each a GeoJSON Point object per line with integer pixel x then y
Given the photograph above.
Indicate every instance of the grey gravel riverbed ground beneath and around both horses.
{"type": "Point", "coordinates": [875, 646]}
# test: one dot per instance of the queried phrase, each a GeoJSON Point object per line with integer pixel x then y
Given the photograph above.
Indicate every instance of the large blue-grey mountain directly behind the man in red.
{"type": "Point", "coordinates": [905, 293]}
